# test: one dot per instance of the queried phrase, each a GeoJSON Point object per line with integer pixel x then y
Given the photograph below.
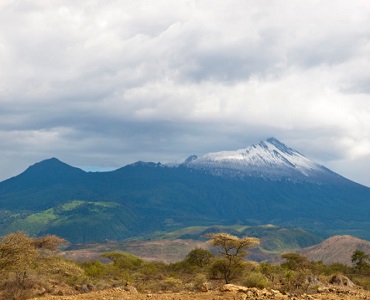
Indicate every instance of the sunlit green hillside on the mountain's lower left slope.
{"type": "Point", "coordinates": [78, 220]}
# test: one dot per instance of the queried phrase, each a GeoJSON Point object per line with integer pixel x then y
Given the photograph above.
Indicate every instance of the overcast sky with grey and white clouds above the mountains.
{"type": "Point", "coordinates": [101, 84]}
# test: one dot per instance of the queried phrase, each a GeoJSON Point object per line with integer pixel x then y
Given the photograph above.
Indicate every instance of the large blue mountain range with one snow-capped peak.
{"type": "Point", "coordinates": [268, 183]}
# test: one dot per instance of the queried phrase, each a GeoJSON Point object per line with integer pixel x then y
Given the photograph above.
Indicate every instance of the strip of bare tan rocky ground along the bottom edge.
{"type": "Point", "coordinates": [227, 293]}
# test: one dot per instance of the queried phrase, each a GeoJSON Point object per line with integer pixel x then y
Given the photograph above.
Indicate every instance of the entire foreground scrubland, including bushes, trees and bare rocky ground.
{"type": "Point", "coordinates": [32, 268]}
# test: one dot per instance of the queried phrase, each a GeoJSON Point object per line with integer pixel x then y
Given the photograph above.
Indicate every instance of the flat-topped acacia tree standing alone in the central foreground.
{"type": "Point", "coordinates": [232, 249]}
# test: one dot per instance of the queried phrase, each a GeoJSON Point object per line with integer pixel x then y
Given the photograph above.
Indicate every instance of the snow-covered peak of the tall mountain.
{"type": "Point", "coordinates": [270, 159]}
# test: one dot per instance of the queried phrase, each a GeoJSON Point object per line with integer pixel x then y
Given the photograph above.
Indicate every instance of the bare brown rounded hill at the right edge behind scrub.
{"type": "Point", "coordinates": [336, 249]}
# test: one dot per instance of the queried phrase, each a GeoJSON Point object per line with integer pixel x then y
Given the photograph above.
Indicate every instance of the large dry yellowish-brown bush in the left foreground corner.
{"type": "Point", "coordinates": [28, 264]}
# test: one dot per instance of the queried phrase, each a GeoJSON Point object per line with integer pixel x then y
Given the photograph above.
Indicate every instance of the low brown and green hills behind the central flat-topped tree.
{"type": "Point", "coordinates": [174, 246]}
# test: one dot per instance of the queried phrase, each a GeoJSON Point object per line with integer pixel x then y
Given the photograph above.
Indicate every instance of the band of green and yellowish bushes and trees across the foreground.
{"type": "Point", "coordinates": [31, 267]}
